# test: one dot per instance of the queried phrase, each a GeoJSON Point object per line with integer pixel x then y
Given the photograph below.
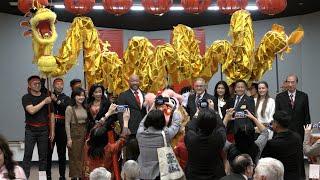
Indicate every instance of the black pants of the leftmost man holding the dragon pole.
{"type": "Point", "coordinates": [31, 138]}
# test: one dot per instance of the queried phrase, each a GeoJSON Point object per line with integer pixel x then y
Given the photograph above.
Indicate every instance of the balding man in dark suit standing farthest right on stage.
{"type": "Point", "coordinates": [296, 103]}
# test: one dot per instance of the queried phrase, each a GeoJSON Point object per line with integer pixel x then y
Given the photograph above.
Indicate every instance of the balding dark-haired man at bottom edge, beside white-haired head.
{"type": "Point", "coordinates": [241, 167]}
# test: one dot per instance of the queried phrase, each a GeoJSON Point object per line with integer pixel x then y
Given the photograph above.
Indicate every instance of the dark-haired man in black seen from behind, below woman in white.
{"type": "Point", "coordinates": [286, 146]}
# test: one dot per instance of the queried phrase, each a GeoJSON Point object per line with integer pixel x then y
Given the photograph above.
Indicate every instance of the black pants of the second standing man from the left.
{"type": "Point", "coordinates": [61, 141]}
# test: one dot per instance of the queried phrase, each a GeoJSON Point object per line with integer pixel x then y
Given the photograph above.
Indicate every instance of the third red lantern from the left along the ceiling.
{"type": "Point", "coordinates": [117, 7]}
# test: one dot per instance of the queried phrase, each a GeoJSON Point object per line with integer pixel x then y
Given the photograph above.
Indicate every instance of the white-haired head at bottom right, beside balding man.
{"type": "Point", "coordinates": [271, 168]}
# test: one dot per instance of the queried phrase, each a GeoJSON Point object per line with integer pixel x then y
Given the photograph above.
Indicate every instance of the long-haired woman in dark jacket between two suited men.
{"type": "Point", "coordinates": [222, 93]}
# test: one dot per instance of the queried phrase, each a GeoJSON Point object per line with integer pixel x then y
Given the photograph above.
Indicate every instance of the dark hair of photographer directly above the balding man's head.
{"type": "Point", "coordinates": [244, 143]}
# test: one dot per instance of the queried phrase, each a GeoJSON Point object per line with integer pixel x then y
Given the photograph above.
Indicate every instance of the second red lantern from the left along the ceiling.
{"type": "Point", "coordinates": [79, 7]}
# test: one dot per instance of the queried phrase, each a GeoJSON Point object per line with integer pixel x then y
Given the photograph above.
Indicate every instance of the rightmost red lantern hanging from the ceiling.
{"type": "Point", "coordinates": [271, 7]}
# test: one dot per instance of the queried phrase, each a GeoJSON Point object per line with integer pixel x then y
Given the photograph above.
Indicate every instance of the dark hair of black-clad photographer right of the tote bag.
{"type": "Point", "coordinates": [207, 120]}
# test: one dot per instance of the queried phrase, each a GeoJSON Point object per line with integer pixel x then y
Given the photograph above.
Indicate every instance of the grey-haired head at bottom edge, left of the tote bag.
{"type": "Point", "coordinates": [130, 170]}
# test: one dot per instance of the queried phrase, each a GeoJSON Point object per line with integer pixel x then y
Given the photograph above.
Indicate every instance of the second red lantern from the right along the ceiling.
{"type": "Point", "coordinates": [231, 6]}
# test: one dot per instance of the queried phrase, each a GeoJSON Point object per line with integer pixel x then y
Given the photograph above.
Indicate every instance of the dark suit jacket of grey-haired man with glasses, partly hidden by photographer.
{"type": "Point", "coordinates": [192, 106]}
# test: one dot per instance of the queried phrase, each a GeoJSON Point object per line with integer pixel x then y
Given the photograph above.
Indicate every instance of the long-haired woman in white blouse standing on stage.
{"type": "Point", "coordinates": [265, 105]}
